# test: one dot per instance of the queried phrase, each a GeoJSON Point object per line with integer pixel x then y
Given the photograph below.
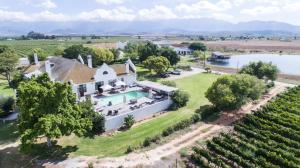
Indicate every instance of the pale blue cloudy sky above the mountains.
{"type": "Point", "coordinates": [129, 10]}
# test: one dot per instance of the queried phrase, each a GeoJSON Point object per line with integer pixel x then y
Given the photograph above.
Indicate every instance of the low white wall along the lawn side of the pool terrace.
{"type": "Point", "coordinates": [139, 114]}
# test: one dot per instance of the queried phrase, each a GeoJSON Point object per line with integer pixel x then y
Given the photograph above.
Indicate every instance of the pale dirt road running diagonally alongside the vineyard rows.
{"type": "Point", "coordinates": [148, 158]}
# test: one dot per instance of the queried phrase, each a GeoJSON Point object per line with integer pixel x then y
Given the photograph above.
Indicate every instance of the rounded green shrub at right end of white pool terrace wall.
{"type": "Point", "coordinates": [180, 99]}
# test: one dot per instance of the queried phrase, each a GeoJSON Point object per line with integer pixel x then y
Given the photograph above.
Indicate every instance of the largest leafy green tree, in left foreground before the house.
{"type": "Point", "coordinates": [48, 109]}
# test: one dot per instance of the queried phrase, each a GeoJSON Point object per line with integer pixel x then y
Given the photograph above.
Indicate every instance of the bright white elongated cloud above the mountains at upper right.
{"type": "Point", "coordinates": [261, 10]}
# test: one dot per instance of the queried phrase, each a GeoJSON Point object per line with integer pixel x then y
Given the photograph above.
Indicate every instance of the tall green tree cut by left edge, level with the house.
{"type": "Point", "coordinates": [8, 62]}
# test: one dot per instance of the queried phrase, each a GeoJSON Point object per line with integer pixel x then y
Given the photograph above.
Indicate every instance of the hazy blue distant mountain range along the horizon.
{"type": "Point", "coordinates": [203, 26]}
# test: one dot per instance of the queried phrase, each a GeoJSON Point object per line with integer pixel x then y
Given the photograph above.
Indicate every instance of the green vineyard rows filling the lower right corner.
{"type": "Point", "coordinates": [267, 138]}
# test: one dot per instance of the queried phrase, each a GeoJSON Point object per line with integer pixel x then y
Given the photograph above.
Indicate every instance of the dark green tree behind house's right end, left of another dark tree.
{"type": "Point", "coordinates": [147, 50]}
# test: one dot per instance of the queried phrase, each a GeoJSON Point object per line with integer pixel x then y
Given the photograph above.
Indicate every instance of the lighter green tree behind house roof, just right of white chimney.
{"type": "Point", "coordinates": [102, 55]}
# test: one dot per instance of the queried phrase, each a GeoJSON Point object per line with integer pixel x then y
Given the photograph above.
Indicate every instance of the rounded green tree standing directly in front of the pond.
{"type": "Point", "coordinates": [261, 70]}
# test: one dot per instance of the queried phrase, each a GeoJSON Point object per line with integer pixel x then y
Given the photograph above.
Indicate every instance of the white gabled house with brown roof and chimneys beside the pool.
{"type": "Point", "coordinates": [84, 79]}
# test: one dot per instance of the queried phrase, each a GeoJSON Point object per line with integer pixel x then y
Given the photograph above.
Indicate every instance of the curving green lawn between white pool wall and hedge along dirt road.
{"type": "Point", "coordinates": [117, 144]}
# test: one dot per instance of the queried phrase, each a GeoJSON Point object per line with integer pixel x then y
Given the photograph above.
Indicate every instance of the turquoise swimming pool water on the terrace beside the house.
{"type": "Point", "coordinates": [119, 98]}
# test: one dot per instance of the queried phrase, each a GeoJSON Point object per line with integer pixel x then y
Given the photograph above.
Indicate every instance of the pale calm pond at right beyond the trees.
{"type": "Point", "coordinates": [287, 64]}
